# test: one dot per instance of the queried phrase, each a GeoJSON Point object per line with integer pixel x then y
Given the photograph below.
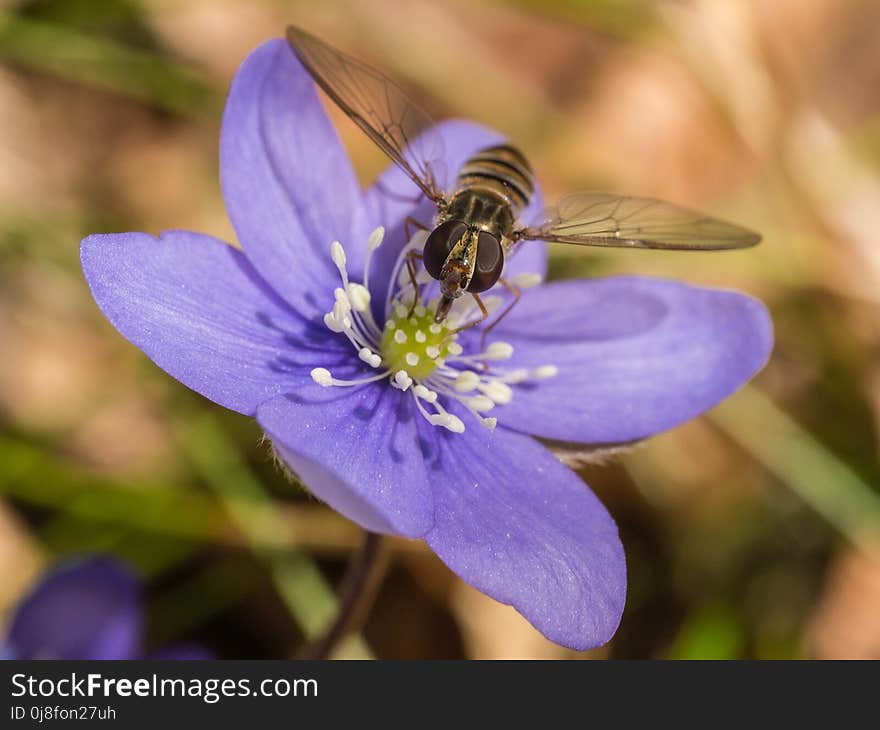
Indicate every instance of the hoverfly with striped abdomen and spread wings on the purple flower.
{"type": "Point", "coordinates": [476, 226]}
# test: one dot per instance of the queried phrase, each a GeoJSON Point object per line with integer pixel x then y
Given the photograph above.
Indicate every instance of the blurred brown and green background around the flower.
{"type": "Point", "coordinates": [751, 532]}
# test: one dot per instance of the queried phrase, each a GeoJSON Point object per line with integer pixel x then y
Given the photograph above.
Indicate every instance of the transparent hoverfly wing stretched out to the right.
{"type": "Point", "coordinates": [605, 219]}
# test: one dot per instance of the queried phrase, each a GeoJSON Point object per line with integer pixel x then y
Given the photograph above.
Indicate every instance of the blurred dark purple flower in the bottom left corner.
{"type": "Point", "coordinates": [88, 609]}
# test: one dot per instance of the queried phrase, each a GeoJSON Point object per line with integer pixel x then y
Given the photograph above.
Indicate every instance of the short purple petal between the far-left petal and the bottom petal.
{"type": "Point", "coordinates": [358, 449]}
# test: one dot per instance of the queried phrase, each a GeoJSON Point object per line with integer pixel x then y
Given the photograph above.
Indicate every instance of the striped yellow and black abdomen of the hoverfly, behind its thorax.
{"type": "Point", "coordinates": [501, 169]}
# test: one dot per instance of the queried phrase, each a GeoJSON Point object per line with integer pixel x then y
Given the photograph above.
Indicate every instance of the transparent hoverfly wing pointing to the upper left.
{"type": "Point", "coordinates": [378, 106]}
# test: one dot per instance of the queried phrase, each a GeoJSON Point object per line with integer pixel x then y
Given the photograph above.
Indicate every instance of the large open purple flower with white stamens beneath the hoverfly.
{"type": "Point", "coordinates": [382, 415]}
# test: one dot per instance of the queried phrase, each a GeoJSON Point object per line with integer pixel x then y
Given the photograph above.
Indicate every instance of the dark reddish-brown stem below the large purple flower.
{"type": "Point", "coordinates": [356, 594]}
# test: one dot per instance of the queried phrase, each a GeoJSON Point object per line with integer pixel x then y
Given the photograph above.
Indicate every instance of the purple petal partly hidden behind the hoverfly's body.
{"type": "Point", "coordinates": [394, 196]}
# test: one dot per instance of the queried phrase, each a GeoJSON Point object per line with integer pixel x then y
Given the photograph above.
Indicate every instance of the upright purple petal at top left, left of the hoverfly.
{"type": "Point", "coordinates": [287, 181]}
